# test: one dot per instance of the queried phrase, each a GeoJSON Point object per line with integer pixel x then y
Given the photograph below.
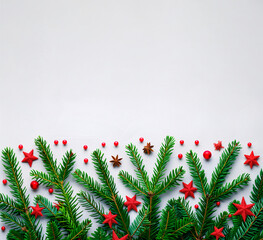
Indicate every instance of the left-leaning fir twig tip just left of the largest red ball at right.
{"type": "Point", "coordinates": [197, 173]}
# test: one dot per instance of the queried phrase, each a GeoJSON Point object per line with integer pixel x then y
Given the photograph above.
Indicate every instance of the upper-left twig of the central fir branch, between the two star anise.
{"type": "Point", "coordinates": [137, 161]}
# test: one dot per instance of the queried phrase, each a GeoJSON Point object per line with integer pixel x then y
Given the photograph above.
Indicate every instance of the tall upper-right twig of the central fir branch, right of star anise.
{"type": "Point", "coordinates": [162, 160]}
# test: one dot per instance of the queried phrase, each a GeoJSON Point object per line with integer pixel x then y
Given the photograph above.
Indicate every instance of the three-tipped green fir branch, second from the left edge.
{"type": "Point", "coordinates": [68, 216]}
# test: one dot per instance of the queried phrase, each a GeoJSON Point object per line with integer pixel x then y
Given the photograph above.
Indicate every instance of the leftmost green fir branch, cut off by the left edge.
{"type": "Point", "coordinates": [16, 211]}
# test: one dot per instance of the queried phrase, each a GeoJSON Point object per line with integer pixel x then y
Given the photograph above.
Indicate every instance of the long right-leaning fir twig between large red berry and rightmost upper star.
{"type": "Point", "coordinates": [224, 166]}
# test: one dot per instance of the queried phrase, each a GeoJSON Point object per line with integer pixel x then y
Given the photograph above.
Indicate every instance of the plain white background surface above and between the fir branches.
{"type": "Point", "coordinates": [93, 71]}
